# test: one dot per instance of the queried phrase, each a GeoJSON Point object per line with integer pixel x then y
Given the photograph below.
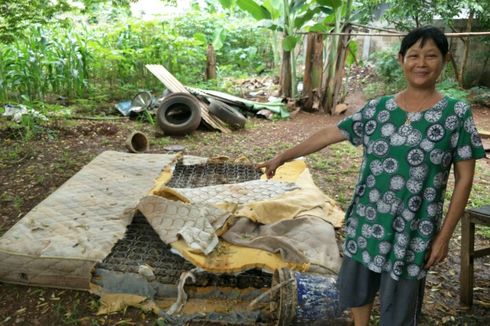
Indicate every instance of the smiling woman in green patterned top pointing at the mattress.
{"type": "Point", "coordinates": [393, 233]}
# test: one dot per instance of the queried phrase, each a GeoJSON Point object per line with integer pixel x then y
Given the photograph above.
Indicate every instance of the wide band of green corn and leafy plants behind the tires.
{"type": "Point", "coordinates": [107, 61]}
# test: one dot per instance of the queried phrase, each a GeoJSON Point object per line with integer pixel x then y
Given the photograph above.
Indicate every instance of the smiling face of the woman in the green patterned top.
{"type": "Point", "coordinates": [422, 65]}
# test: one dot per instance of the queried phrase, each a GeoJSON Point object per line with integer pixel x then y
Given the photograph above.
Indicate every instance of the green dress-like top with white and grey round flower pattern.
{"type": "Point", "coordinates": [398, 202]}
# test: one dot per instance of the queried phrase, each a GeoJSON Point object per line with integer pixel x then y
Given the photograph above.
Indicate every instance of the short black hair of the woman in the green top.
{"type": "Point", "coordinates": [425, 33]}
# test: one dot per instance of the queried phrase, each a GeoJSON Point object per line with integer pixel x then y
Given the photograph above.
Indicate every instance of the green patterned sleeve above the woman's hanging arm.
{"type": "Point", "coordinates": [469, 145]}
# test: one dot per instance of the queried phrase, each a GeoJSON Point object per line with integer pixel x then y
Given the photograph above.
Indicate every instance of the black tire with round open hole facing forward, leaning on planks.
{"type": "Point", "coordinates": [179, 114]}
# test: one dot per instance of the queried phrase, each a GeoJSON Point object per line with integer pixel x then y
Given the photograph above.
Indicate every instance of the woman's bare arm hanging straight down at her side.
{"type": "Point", "coordinates": [463, 180]}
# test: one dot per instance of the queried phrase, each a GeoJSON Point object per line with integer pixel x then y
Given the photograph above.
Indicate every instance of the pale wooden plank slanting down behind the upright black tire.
{"type": "Point", "coordinates": [176, 86]}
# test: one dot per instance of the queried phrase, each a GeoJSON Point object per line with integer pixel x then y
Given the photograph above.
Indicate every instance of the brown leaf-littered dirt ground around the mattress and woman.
{"type": "Point", "coordinates": [30, 171]}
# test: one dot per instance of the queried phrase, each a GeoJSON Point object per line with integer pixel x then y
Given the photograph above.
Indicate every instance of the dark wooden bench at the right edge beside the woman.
{"type": "Point", "coordinates": [472, 217]}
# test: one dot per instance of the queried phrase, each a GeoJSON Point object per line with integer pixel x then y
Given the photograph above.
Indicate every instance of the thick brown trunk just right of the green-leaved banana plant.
{"type": "Point", "coordinates": [313, 70]}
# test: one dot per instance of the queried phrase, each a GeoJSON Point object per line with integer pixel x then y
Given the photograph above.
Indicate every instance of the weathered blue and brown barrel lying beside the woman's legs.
{"type": "Point", "coordinates": [305, 298]}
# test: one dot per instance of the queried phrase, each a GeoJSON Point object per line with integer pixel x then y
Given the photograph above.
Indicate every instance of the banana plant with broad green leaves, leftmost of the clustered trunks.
{"type": "Point", "coordinates": [288, 17]}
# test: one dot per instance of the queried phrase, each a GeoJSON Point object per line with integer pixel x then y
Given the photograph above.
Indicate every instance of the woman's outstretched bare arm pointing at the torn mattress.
{"type": "Point", "coordinates": [326, 136]}
